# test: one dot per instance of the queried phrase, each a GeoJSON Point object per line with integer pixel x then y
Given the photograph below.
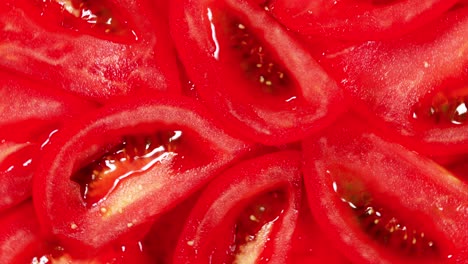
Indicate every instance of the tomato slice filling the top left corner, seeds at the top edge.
{"type": "Point", "coordinates": [98, 49]}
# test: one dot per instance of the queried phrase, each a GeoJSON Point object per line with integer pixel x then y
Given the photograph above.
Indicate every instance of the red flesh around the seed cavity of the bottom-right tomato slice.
{"type": "Point", "coordinates": [415, 188]}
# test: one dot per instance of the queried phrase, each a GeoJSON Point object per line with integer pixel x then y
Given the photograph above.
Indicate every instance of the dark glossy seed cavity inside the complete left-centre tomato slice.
{"type": "Point", "coordinates": [129, 158]}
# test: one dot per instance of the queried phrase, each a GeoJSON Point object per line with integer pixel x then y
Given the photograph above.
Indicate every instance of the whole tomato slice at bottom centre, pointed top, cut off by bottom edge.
{"type": "Point", "coordinates": [246, 215]}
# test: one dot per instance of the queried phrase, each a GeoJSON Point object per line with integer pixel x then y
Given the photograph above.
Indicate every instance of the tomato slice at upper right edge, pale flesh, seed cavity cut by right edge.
{"type": "Point", "coordinates": [416, 85]}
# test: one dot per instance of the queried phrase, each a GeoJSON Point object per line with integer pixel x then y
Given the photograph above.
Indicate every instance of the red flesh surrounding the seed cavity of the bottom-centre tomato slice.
{"type": "Point", "coordinates": [209, 228]}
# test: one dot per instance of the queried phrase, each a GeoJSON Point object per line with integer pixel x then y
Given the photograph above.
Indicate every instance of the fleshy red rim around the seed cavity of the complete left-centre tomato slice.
{"type": "Point", "coordinates": [61, 208]}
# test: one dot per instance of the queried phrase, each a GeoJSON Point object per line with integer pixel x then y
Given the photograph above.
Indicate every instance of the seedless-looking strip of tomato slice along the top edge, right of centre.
{"type": "Point", "coordinates": [357, 20]}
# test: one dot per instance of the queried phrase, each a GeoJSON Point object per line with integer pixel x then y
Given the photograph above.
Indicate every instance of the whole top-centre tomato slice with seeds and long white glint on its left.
{"type": "Point", "coordinates": [255, 76]}
